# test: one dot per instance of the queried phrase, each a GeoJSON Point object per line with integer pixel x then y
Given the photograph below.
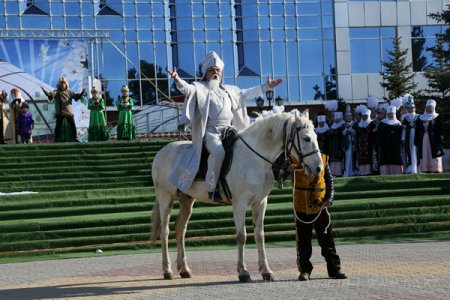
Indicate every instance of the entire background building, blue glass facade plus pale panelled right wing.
{"type": "Point", "coordinates": [322, 49]}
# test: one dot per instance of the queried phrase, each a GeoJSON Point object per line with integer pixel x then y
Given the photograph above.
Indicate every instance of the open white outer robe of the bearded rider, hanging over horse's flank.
{"type": "Point", "coordinates": [195, 113]}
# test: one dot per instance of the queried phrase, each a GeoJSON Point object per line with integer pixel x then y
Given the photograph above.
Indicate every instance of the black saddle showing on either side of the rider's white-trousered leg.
{"type": "Point", "coordinates": [228, 138]}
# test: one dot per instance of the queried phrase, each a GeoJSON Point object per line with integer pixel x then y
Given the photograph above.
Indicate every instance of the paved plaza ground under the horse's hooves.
{"type": "Point", "coordinates": [386, 271]}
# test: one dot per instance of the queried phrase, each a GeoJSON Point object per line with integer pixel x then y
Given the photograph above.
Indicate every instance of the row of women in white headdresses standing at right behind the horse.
{"type": "Point", "coordinates": [384, 139]}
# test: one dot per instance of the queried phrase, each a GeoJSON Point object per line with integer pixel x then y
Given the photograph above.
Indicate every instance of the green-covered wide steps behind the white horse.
{"type": "Point", "coordinates": [100, 195]}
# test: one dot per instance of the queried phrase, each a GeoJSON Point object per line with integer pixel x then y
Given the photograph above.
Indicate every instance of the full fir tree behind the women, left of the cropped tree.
{"type": "Point", "coordinates": [397, 77]}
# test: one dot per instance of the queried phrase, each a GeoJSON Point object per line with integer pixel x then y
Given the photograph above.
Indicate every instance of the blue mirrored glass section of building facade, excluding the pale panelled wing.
{"type": "Point", "coordinates": [288, 39]}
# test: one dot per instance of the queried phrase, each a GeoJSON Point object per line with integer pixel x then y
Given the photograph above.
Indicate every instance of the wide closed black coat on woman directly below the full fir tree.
{"type": "Point", "coordinates": [390, 139]}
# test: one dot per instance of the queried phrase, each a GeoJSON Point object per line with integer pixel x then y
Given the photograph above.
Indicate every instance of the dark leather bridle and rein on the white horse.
{"type": "Point", "coordinates": [288, 144]}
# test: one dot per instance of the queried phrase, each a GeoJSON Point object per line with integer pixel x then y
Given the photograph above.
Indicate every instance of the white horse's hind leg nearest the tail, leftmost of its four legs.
{"type": "Point", "coordinates": [165, 201]}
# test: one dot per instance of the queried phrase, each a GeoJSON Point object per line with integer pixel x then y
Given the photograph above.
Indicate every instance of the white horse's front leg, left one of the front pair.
{"type": "Point", "coordinates": [241, 237]}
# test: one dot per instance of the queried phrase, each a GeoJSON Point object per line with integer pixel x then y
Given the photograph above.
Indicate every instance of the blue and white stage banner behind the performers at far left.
{"type": "Point", "coordinates": [30, 64]}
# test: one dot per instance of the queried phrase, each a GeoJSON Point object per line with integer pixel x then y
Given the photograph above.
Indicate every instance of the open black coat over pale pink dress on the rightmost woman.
{"type": "Point", "coordinates": [435, 133]}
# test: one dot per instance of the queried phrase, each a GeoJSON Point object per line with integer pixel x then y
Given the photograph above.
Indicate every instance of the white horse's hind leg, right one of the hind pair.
{"type": "Point", "coordinates": [186, 203]}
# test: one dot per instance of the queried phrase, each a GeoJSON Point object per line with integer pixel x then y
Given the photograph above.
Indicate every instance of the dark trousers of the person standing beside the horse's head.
{"type": "Point", "coordinates": [326, 242]}
